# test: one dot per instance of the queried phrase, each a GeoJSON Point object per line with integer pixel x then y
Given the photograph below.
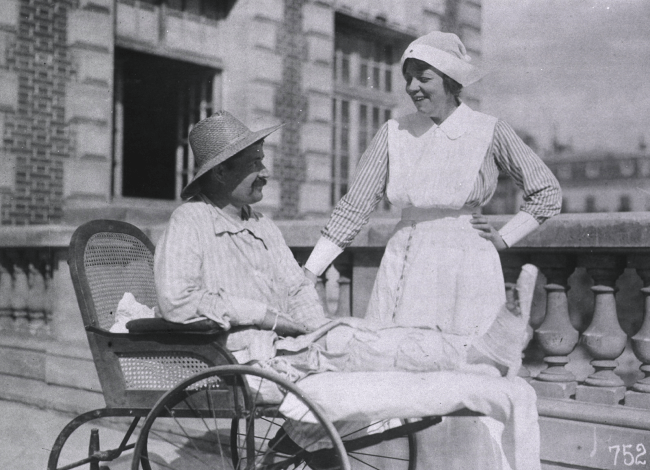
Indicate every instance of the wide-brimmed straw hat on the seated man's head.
{"type": "Point", "coordinates": [215, 140]}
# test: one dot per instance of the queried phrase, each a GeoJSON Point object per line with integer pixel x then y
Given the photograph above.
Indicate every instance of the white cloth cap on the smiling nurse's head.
{"type": "Point", "coordinates": [445, 52]}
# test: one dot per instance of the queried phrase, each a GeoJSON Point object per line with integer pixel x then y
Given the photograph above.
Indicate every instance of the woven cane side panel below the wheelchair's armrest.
{"type": "Point", "coordinates": [159, 372]}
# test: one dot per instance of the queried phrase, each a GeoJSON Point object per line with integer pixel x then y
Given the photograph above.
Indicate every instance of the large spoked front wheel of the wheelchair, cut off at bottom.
{"type": "Point", "coordinates": [227, 418]}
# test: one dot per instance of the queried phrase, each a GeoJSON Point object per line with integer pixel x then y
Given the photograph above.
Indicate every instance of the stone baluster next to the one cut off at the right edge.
{"type": "Point", "coordinates": [603, 339]}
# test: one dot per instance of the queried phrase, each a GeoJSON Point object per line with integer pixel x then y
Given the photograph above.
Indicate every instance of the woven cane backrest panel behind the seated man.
{"type": "Point", "coordinates": [117, 263]}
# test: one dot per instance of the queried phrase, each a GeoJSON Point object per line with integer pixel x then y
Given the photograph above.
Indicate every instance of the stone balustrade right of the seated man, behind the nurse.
{"type": "Point", "coordinates": [592, 300]}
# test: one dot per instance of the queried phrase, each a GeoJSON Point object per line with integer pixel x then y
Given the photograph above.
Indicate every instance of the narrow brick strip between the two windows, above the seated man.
{"type": "Point", "coordinates": [290, 107]}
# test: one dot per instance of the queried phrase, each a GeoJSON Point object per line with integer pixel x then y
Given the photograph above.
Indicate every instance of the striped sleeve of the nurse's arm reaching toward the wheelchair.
{"type": "Point", "coordinates": [367, 190]}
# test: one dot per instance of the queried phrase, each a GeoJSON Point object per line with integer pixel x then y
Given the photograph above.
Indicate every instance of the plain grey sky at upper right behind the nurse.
{"type": "Point", "coordinates": [579, 69]}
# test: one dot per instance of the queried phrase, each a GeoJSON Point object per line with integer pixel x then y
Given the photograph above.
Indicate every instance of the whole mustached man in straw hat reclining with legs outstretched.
{"type": "Point", "coordinates": [220, 259]}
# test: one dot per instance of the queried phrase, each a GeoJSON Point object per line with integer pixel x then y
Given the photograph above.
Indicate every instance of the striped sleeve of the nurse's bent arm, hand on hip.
{"type": "Point", "coordinates": [541, 190]}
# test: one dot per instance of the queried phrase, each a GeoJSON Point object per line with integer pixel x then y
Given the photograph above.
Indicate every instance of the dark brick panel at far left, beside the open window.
{"type": "Point", "coordinates": [35, 132]}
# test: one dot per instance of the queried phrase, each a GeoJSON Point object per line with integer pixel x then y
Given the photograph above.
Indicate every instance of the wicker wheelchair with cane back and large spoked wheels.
{"type": "Point", "coordinates": [201, 408]}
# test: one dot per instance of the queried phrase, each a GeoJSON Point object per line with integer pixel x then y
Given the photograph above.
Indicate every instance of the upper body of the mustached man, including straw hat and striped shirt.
{"type": "Point", "coordinates": [220, 259]}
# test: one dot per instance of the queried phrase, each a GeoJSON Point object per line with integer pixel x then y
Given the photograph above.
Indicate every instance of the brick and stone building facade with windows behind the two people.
{"type": "Point", "coordinates": [98, 96]}
